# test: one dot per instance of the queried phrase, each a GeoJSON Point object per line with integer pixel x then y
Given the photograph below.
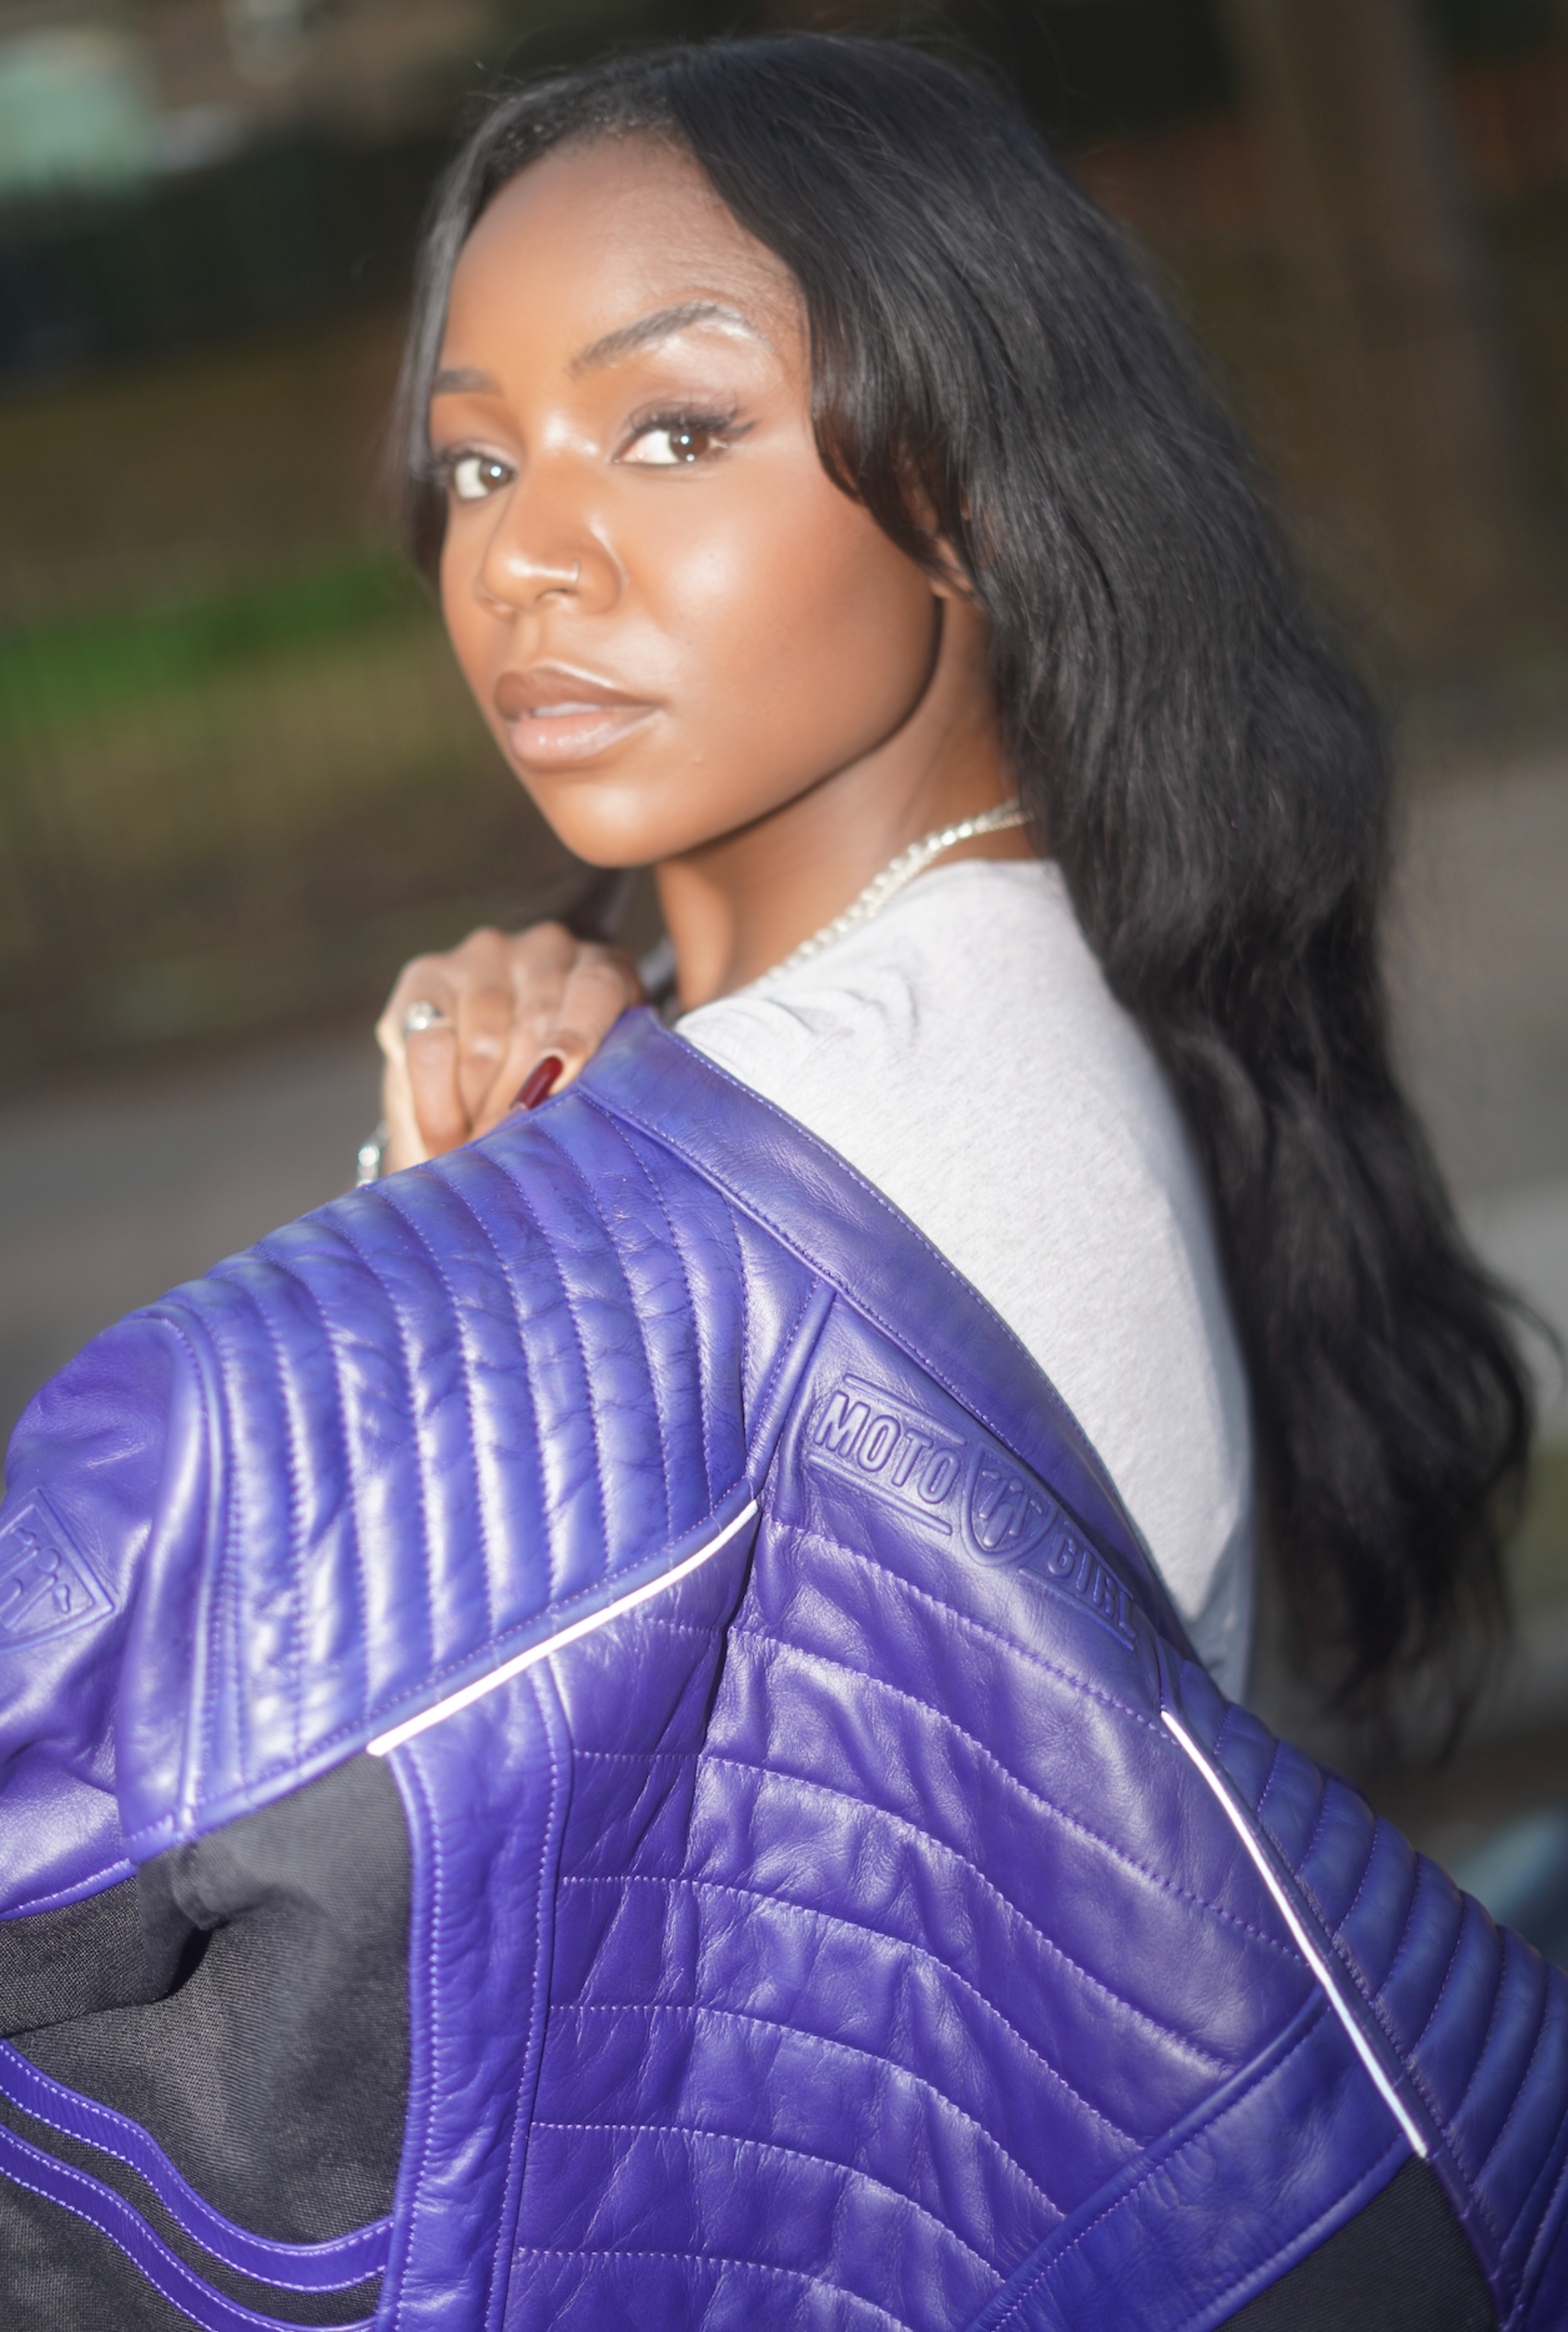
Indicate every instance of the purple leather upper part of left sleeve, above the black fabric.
{"type": "Point", "coordinates": [353, 1470]}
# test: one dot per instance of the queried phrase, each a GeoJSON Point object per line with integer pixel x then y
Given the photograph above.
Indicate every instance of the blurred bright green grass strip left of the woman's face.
{"type": "Point", "coordinates": [59, 675]}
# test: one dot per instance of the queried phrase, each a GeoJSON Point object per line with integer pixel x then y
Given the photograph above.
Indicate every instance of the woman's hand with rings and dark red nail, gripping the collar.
{"type": "Point", "coordinates": [505, 1004]}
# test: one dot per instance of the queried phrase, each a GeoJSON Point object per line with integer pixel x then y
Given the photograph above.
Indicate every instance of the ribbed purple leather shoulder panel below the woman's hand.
{"type": "Point", "coordinates": [444, 1417]}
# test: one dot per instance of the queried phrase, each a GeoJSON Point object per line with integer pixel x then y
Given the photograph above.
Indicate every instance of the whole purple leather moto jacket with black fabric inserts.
{"type": "Point", "coordinates": [587, 1743]}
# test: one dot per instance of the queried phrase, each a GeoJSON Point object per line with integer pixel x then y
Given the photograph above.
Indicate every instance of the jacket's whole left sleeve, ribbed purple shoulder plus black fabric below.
{"type": "Point", "coordinates": [251, 1536]}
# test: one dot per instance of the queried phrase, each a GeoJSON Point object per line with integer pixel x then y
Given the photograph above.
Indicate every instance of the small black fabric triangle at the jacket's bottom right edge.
{"type": "Point", "coordinates": [1401, 2266]}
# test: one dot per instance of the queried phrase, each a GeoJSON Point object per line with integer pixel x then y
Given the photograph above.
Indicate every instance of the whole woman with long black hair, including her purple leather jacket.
{"type": "Point", "coordinates": [594, 1741]}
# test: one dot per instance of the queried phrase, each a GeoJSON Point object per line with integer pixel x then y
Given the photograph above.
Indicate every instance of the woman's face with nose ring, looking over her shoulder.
{"type": "Point", "coordinates": [671, 617]}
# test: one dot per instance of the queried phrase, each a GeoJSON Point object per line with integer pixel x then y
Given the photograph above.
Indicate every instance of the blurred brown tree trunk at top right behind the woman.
{"type": "Point", "coordinates": [1406, 339]}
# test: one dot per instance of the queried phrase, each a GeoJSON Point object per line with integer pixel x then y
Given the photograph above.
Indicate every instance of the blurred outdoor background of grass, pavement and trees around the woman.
{"type": "Point", "coordinates": [241, 782]}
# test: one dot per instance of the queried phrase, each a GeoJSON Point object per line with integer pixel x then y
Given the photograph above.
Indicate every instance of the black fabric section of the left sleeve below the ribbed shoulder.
{"type": "Point", "coordinates": [272, 2070]}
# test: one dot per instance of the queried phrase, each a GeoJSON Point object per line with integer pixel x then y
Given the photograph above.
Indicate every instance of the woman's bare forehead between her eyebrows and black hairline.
{"type": "Point", "coordinates": [594, 237]}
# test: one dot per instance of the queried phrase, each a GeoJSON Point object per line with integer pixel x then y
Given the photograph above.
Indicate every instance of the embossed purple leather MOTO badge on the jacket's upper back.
{"type": "Point", "coordinates": [960, 1489]}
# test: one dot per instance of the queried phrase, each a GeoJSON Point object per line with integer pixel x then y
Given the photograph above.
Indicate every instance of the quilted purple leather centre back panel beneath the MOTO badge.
{"type": "Point", "coordinates": [811, 2053]}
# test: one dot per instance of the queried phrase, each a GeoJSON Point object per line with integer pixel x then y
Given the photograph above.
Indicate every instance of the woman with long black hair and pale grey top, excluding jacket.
{"type": "Point", "coordinates": [1098, 619]}
